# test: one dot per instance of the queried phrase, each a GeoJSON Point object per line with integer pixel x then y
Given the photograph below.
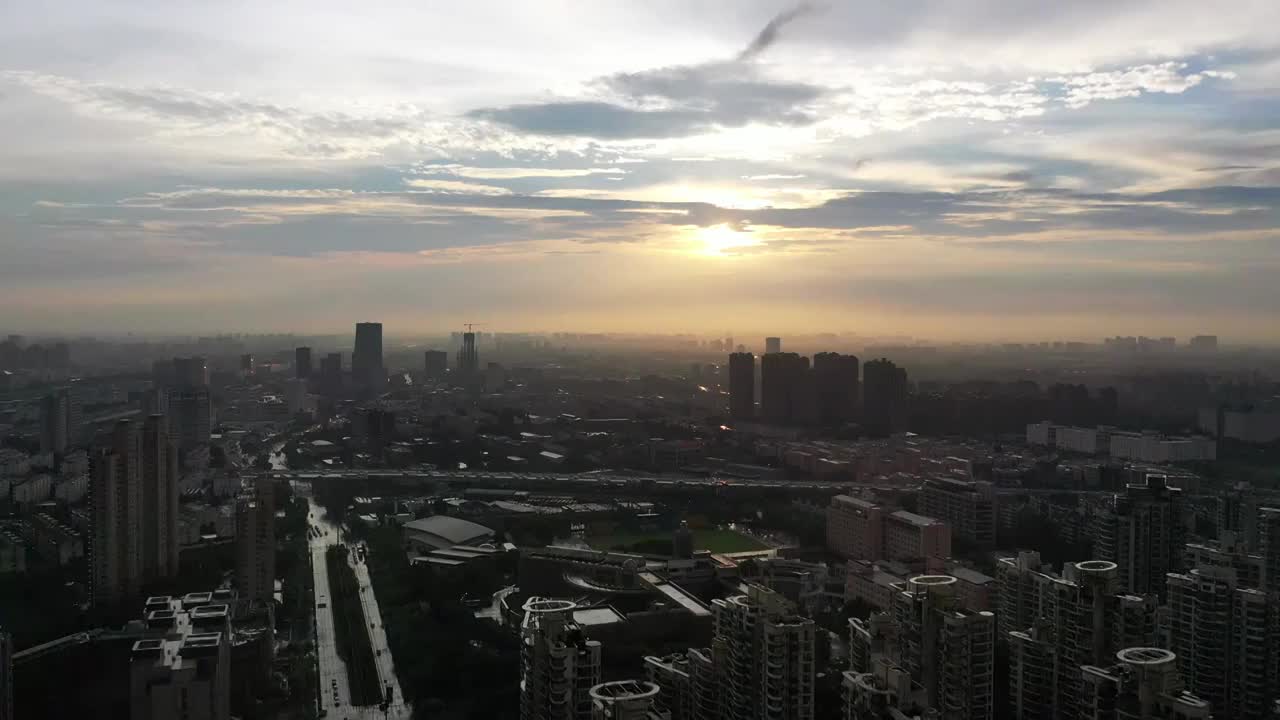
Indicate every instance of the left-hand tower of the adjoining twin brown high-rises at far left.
{"type": "Point", "coordinates": [117, 503]}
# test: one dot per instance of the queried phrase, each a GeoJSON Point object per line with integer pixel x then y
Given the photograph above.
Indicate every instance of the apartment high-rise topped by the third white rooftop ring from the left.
{"type": "Point", "coordinates": [948, 653]}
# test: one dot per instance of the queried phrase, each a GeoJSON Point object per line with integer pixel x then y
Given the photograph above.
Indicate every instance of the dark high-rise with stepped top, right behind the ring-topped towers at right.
{"type": "Point", "coordinates": [1144, 535]}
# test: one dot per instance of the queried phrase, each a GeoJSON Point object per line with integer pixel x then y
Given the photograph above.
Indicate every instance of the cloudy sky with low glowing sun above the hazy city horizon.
{"type": "Point", "coordinates": [984, 170]}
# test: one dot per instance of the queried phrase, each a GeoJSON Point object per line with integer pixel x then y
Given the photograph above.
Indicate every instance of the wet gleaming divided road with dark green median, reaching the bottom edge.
{"type": "Point", "coordinates": [333, 671]}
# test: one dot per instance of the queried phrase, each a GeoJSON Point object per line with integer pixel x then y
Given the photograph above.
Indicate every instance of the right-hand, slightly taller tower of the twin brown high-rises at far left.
{"type": "Point", "coordinates": [159, 495]}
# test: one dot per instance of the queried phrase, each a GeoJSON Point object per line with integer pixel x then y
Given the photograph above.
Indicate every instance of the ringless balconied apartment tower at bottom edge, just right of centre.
{"type": "Point", "coordinates": [764, 657]}
